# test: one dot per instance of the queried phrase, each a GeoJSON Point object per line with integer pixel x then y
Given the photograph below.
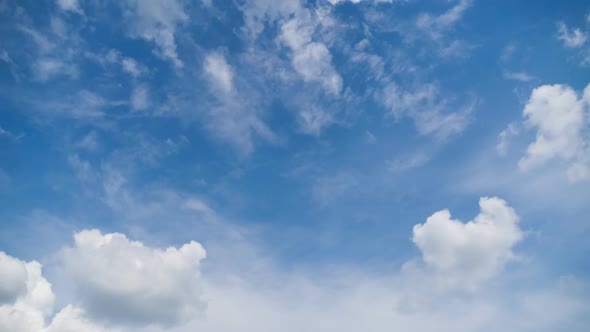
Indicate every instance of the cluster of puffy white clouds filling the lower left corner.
{"type": "Point", "coordinates": [117, 282]}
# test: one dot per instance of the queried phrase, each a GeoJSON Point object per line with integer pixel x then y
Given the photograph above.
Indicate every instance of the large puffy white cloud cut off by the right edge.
{"type": "Point", "coordinates": [559, 116]}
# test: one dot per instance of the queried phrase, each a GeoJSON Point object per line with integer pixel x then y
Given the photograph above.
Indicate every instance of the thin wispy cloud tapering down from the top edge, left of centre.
{"type": "Point", "coordinates": [157, 21]}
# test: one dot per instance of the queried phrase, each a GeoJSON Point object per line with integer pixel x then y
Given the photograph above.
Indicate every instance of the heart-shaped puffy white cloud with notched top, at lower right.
{"type": "Point", "coordinates": [464, 255]}
